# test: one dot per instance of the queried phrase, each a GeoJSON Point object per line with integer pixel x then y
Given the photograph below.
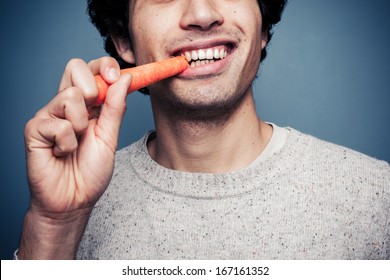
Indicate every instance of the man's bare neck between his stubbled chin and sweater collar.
{"type": "Point", "coordinates": [213, 145]}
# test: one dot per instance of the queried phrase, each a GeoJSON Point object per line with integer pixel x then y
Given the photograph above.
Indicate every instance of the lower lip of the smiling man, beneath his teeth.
{"type": "Point", "coordinates": [206, 70]}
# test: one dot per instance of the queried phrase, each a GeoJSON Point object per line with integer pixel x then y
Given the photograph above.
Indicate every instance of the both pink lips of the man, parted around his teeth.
{"type": "Point", "coordinates": [207, 70]}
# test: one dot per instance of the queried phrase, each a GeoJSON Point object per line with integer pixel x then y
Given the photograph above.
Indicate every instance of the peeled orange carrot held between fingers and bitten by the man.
{"type": "Point", "coordinates": [145, 75]}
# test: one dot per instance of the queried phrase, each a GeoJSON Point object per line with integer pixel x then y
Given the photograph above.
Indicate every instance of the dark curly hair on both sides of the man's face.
{"type": "Point", "coordinates": [111, 19]}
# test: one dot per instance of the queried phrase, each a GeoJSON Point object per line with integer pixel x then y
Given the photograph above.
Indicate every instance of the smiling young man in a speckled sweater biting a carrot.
{"type": "Point", "coordinates": [213, 181]}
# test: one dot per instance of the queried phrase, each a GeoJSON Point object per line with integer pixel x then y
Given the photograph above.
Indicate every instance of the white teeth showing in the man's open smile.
{"type": "Point", "coordinates": [201, 57]}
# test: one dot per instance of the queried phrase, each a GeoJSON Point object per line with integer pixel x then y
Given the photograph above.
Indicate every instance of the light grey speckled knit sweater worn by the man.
{"type": "Point", "coordinates": [308, 200]}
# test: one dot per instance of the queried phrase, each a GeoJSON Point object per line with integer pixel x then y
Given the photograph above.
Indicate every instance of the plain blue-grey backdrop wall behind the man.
{"type": "Point", "coordinates": [327, 74]}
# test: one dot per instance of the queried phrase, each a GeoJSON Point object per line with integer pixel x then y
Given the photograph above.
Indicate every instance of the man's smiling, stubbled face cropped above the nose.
{"type": "Point", "coordinates": [221, 38]}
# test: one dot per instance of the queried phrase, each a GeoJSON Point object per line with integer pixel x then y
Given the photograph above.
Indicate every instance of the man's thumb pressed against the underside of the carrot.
{"type": "Point", "coordinates": [113, 110]}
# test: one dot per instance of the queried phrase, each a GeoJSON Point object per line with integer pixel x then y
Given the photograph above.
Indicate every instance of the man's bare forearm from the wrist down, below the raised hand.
{"type": "Point", "coordinates": [47, 238]}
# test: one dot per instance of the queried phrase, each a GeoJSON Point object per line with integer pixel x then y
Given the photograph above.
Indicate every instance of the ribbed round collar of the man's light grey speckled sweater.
{"type": "Point", "coordinates": [260, 173]}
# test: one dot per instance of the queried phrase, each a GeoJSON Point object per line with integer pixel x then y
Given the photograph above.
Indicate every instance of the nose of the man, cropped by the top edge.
{"type": "Point", "coordinates": [201, 15]}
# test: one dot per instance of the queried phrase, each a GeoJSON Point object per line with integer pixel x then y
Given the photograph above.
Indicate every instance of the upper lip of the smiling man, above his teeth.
{"type": "Point", "coordinates": [203, 44]}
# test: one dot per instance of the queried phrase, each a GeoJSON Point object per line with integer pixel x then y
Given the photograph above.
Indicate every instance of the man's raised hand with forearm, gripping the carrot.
{"type": "Point", "coordinates": [70, 150]}
